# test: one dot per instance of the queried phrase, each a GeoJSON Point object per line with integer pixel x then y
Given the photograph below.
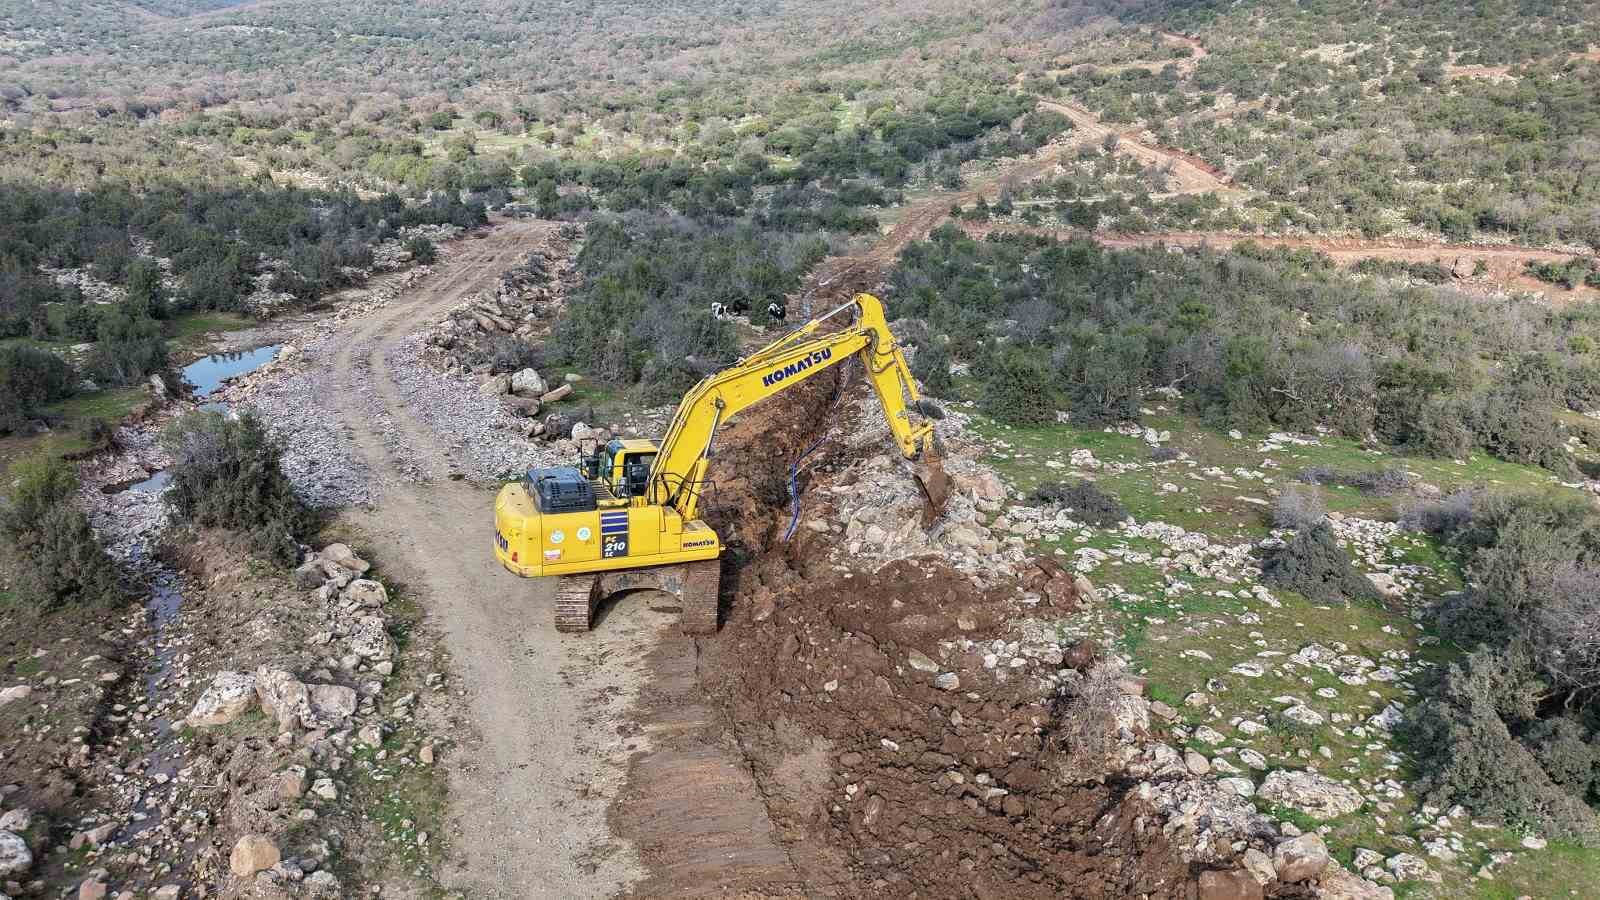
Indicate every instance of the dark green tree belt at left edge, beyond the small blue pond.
{"type": "Point", "coordinates": [218, 241]}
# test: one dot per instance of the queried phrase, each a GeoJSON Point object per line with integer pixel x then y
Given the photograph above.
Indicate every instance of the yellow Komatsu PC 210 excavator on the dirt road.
{"type": "Point", "coordinates": [628, 520]}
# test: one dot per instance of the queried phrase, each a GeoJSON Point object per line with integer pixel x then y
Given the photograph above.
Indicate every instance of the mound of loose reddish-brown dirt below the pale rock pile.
{"type": "Point", "coordinates": [903, 758]}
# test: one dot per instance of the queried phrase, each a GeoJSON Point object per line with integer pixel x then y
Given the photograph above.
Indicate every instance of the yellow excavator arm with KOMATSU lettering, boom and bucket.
{"type": "Point", "coordinates": [681, 467]}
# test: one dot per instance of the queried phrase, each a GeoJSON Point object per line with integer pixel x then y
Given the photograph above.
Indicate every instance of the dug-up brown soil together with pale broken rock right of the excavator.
{"type": "Point", "coordinates": [937, 723]}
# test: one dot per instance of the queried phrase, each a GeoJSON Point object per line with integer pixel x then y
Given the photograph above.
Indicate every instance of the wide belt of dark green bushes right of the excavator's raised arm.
{"type": "Point", "coordinates": [1252, 337]}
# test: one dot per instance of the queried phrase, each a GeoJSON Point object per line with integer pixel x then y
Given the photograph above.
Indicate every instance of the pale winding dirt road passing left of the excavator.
{"type": "Point", "coordinates": [530, 787]}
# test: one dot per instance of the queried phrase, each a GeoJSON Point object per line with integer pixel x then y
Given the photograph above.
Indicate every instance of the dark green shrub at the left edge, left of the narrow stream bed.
{"type": "Point", "coordinates": [57, 555]}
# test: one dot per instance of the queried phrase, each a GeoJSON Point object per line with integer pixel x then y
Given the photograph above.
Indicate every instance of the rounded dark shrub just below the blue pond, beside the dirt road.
{"type": "Point", "coordinates": [228, 475]}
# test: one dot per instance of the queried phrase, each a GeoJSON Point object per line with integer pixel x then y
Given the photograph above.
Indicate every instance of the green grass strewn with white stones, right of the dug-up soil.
{"type": "Point", "coordinates": [1159, 633]}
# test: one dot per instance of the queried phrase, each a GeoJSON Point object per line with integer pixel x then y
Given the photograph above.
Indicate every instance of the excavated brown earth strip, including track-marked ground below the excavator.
{"type": "Point", "coordinates": [834, 768]}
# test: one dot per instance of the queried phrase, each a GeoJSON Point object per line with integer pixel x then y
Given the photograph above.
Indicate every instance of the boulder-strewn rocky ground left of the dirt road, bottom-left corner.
{"type": "Point", "coordinates": [236, 742]}
